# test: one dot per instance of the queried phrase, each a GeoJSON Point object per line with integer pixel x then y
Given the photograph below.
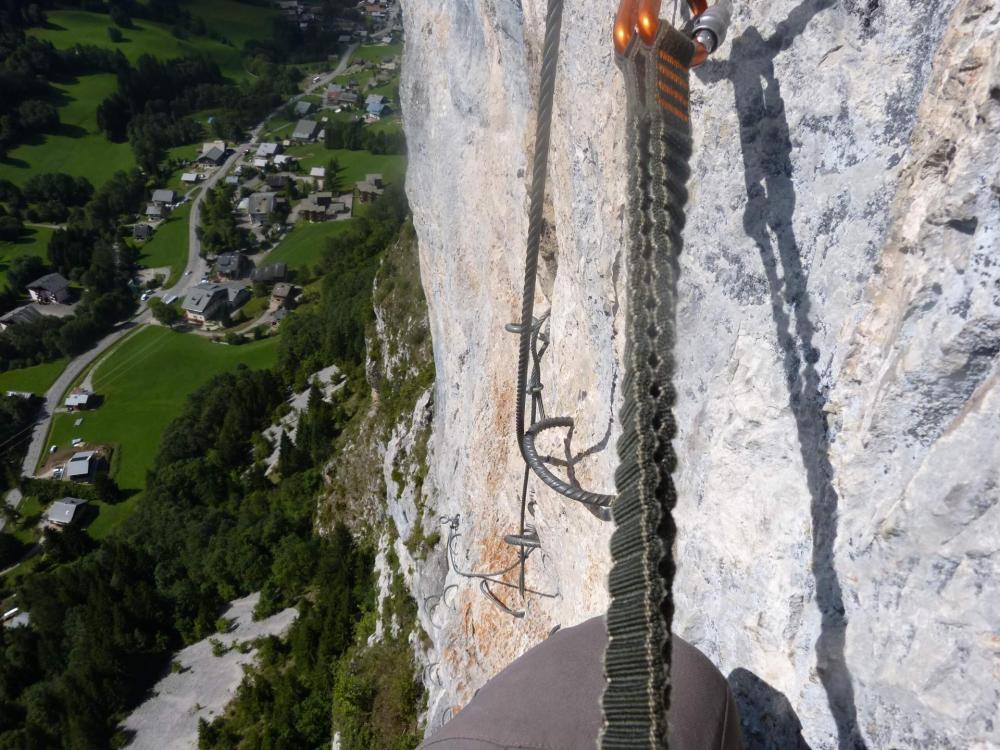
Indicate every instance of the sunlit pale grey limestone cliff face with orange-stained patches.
{"type": "Point", "coordinates": [839, 410]}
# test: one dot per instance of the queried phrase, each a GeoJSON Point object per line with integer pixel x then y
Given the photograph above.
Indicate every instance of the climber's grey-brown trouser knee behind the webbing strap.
{"type": "Point", "coordinates": [550, 699]}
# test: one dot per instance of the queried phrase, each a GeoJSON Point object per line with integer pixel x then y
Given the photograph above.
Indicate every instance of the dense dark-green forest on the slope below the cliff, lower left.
{"type": "Point", "coordinates": [213, 526]}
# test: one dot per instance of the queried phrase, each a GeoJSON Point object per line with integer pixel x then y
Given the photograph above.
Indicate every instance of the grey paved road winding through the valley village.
{"type": "Point", "coordinates": [196, 268]}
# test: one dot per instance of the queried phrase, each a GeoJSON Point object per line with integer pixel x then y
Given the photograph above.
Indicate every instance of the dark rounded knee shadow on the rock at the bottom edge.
{"type": "Point", "coordinates": [767, 718]}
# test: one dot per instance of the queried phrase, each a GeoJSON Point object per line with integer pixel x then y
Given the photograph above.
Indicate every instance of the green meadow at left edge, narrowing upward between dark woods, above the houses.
{"type": "Point", "coordinates": [80, 149]}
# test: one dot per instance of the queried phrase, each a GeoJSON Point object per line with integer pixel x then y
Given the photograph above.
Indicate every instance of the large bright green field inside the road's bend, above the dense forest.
{"type": "Point", "coordinates": [144, 383]}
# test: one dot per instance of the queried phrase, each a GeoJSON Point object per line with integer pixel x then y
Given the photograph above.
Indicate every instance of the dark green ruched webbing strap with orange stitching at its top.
{"type": "Point", "coordinates": [637, 661]}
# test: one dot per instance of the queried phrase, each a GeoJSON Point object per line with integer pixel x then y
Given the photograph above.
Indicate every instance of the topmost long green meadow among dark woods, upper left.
{"type": "Point", "coordinates": [69, 27]}
